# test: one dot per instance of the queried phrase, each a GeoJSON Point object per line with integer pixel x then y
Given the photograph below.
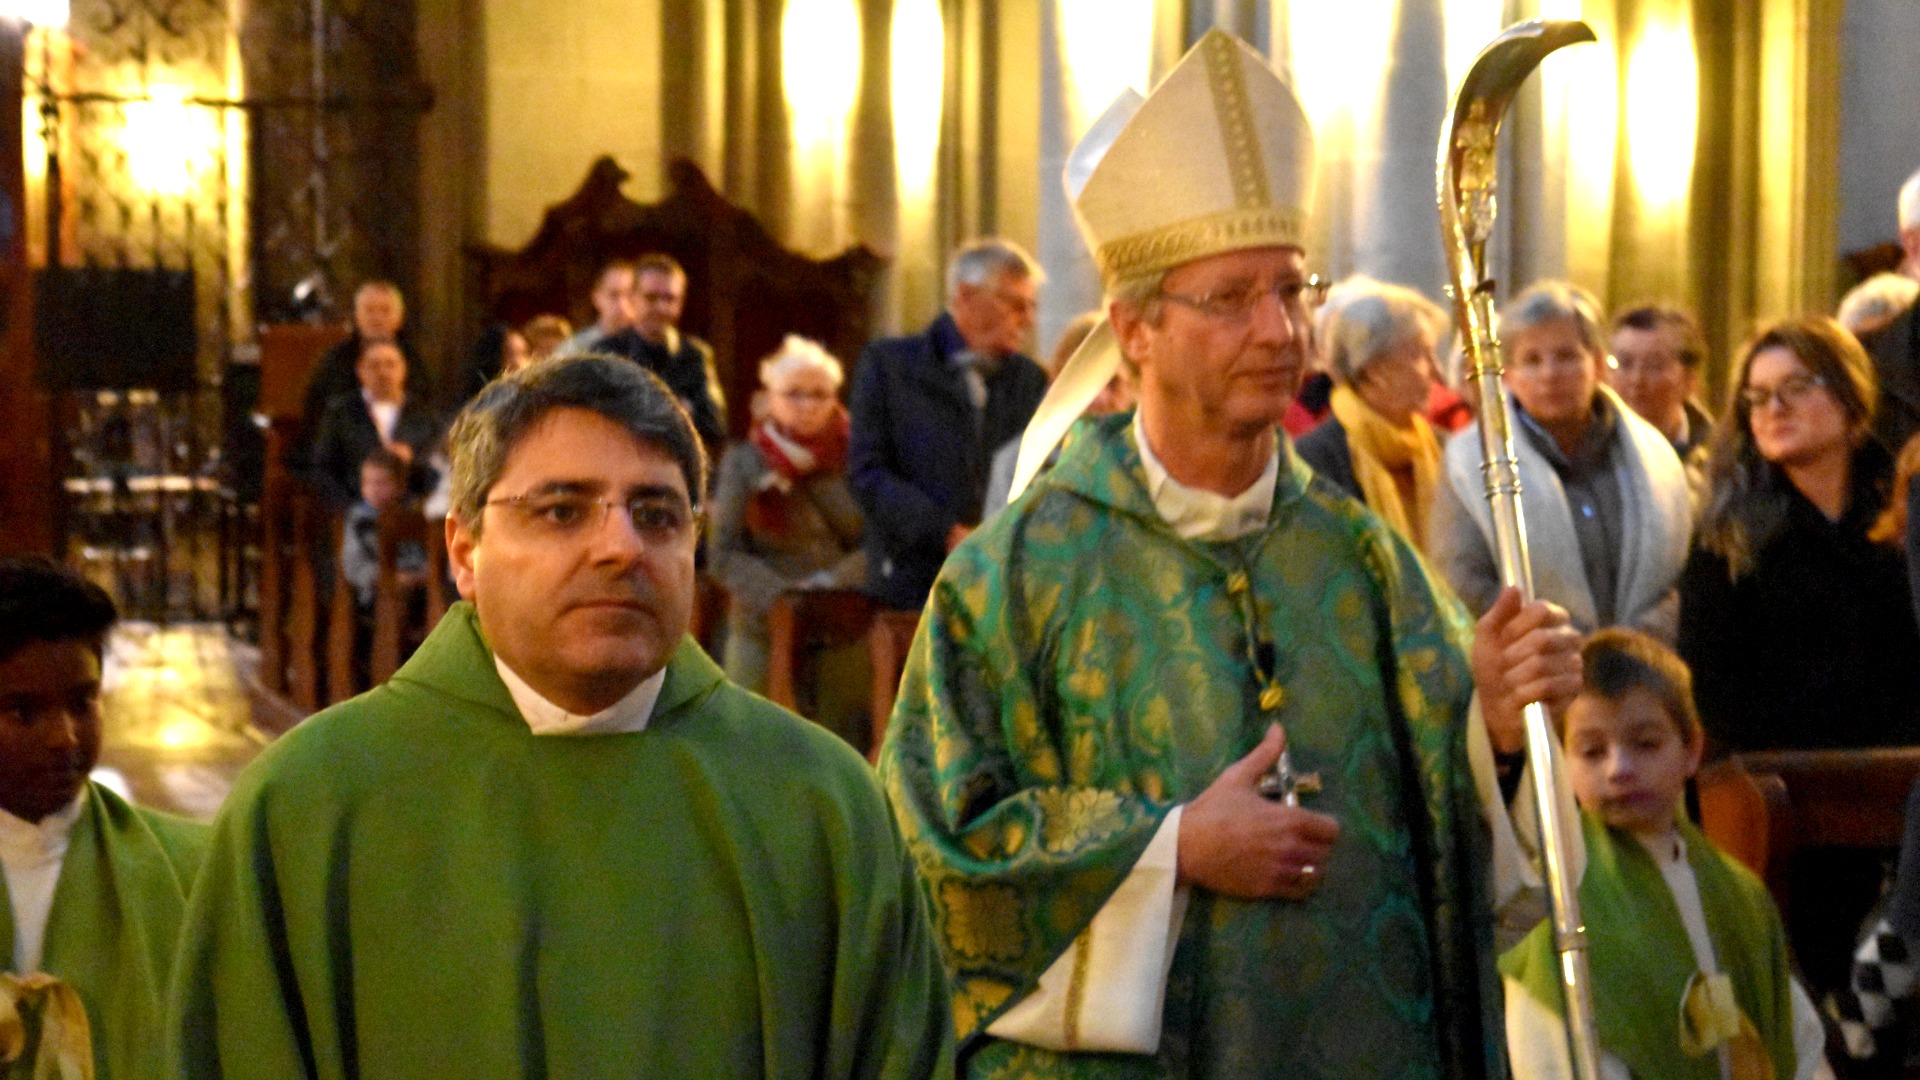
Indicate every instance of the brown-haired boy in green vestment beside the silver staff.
{"type": "Point", "coordinates": [1689, 956]}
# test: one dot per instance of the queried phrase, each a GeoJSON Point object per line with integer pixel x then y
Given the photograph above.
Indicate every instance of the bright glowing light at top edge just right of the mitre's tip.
{"type": "Point", "coordinates": [1326, 43]}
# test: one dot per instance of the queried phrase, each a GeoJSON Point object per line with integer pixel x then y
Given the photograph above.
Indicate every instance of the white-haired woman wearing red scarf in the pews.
{"type": "Point", "coordinates": [782, 512]}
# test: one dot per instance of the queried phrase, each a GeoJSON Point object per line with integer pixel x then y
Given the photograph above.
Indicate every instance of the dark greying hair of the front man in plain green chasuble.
{"type": "Point", "coordinates": [498, 420]}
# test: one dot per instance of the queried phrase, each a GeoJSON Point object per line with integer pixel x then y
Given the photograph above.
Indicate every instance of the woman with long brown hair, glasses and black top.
{"type": "Point", "coordinates": [1794, 620]}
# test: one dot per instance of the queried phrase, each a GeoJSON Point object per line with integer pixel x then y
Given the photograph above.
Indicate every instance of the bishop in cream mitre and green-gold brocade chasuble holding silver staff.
{"type": "Point", "coordinates": [1111, 672]}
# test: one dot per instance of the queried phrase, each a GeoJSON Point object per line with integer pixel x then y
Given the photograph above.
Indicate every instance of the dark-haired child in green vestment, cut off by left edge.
{"type": "Point", "coordinates": [95, 887]}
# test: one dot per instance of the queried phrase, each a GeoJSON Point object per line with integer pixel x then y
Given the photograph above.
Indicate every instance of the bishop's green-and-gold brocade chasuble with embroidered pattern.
{"type": "Point", "coordinates": [1082, 670]}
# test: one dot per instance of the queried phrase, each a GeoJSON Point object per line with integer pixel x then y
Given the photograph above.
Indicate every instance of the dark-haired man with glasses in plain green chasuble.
{"type": "Point", "coordinates": [560, 843]}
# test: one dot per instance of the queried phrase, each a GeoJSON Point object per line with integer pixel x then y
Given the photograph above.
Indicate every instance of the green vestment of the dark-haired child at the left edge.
{"type": "Point", "coordinates": [114, 927]}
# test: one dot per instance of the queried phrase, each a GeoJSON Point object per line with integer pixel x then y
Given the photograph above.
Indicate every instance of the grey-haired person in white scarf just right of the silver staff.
{"type": "Point", "coordinates": [1604, 493]}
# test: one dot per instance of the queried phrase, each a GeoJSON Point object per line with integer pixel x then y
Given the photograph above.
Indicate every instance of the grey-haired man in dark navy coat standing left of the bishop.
{"type": "Point", "coordinates": [932, 408]}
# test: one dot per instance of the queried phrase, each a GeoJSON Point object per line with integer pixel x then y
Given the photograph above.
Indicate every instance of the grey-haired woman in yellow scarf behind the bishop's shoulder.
{"type": "Point", "coordinates": [1380, 343]}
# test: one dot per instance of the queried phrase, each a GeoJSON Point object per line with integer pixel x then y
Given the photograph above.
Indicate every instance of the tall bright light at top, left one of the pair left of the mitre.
{"type": "Point", "coordinates": [821, 68]}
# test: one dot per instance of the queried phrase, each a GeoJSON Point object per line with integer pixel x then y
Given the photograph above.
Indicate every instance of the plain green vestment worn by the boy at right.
{"type": "Point", "coordinates": [1643, 960]}
